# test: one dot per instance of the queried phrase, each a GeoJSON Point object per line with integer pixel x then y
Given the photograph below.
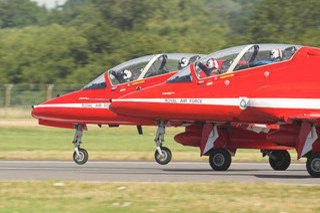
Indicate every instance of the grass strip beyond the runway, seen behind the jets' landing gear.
{"type": "Point", "coordinates": [123, 143]}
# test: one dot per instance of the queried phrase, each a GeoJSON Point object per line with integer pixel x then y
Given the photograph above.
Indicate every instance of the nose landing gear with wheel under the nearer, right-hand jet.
{"type": "Point", "coordinates": [162, 155]}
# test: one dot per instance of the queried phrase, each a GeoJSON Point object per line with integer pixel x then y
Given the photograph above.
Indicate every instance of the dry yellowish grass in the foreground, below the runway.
{"type": "Point", "coordinates": [53, 196]}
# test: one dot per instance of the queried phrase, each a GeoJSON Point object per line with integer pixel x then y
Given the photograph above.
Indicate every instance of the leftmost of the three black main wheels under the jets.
{"type": "Point", "coordinates": [220, 159]}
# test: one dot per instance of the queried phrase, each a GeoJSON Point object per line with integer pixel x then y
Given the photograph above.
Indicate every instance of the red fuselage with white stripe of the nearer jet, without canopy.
{"type": "Point", "coordinates": [269, 94]}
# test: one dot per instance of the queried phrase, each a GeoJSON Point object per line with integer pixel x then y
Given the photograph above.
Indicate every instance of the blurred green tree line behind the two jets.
{"type": "Point", "coordinates": [78, 41]}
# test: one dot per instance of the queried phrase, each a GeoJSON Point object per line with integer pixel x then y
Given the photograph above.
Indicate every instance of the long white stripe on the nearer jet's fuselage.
{"type": "Point", "coordinates": [285, 103]}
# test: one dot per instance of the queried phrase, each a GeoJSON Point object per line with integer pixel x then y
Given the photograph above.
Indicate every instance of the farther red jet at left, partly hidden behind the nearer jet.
{"type": "Point", "coordinates": [90, 105]}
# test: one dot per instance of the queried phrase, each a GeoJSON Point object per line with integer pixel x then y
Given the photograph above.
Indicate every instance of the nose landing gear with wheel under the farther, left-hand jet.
{"type": "Point", "coordinates": [80, 156]}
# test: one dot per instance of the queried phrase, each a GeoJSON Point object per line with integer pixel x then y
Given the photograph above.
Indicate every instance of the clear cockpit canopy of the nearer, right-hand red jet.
{"type": "Point", "coordinates": [237, 58]}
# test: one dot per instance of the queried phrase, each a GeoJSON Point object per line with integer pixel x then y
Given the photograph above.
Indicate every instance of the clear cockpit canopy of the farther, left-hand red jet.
{"type": "Point", "coordinates": [144, 67]}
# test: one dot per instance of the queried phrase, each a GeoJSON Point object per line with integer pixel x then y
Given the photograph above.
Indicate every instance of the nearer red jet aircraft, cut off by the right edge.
{"type": "Point", "coordinates": [223, 94]}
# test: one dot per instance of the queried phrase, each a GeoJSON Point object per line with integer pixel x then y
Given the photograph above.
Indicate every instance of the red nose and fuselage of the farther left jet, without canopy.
{"type": "Point", "coordinates": [91, 106]}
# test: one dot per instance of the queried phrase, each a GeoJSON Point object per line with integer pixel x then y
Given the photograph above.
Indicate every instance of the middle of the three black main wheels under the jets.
{"type": "Point", "coordinates": [281, 160]}
